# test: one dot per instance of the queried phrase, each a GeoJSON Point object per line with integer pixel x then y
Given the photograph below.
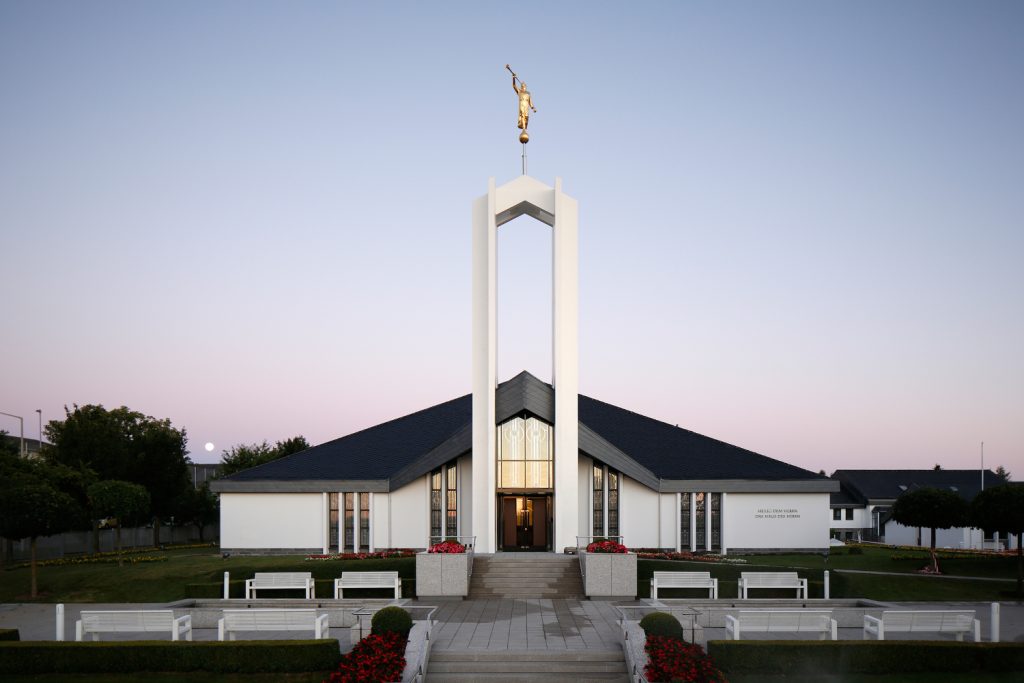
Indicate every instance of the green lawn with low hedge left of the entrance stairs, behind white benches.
{"type": "Point", "coordinates": [187, 574]}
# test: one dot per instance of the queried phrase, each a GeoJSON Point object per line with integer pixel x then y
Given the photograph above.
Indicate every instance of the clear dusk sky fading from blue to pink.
{"type": "Point", "coordinates": [801, 224]}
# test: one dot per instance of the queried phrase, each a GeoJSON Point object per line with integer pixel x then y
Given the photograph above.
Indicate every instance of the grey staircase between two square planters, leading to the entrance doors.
{"type": "Point", "coordinates": [527, 576]}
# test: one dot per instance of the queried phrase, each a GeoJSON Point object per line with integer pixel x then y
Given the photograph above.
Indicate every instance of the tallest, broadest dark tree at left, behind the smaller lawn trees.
{"type": "Point", "coordinates": [125, 445]}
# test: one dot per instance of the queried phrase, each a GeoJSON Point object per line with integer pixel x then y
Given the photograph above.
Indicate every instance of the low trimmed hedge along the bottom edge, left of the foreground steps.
{"type": "Point", "coordinates": [150, 656]}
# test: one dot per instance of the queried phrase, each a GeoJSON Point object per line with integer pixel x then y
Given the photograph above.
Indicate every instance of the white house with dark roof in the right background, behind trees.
{"type": "Point", "coordinates": [862, 507]}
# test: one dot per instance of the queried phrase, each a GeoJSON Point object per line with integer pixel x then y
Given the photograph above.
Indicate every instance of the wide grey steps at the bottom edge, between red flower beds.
{"type": "Point", "coordinates": [528, 666]}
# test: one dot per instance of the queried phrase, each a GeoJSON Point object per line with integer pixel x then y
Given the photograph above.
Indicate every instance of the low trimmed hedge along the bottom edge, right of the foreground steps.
{"type": "Point", "coordinates": [857, 657]}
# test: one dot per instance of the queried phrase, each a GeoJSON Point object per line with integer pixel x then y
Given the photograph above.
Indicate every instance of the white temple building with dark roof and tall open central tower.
{"type": "Point", "coordinates": [524, 464]}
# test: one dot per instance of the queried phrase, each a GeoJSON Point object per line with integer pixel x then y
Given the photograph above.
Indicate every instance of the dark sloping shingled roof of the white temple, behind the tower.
{"type": "Point", "coordinates": [381, 452]}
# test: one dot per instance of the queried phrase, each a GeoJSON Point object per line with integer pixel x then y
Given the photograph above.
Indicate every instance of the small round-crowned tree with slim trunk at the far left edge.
{"type": "Point", "coordinates": [30, 508]}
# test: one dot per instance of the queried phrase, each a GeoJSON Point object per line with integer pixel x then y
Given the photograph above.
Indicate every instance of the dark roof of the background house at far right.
{"type": "Point", "coordinates": [888, 485]}
